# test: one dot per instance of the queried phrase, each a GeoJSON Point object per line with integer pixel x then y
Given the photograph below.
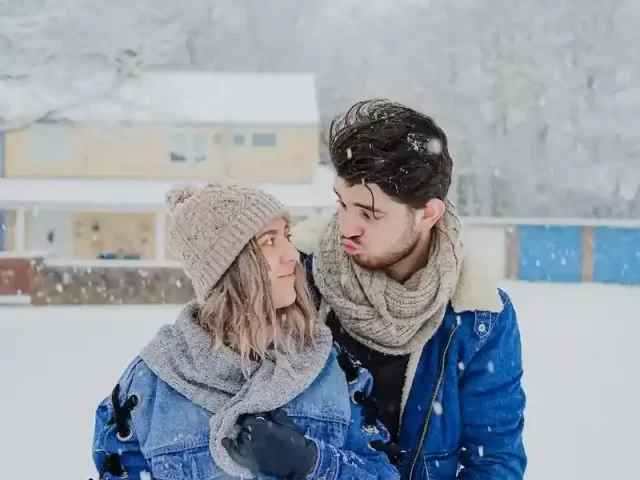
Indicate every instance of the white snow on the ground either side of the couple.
{"type": "Point", "coordinates": [56, 364]}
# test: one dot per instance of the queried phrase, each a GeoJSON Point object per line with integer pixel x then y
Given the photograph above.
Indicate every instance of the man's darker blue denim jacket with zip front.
{"type": "Point", "coordinates": [463, 414]}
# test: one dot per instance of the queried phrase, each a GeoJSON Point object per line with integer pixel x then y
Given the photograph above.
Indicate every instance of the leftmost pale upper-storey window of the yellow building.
{"type": "Point", "coordinates": [49, 143]}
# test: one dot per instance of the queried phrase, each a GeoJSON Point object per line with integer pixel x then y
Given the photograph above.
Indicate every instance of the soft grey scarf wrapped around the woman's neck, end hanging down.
{"type": "Point", "coordinates": [182, 355]}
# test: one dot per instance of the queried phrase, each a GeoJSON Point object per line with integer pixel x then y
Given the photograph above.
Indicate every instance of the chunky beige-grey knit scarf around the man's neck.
{"type": "Point", "coordinates": [379, 312]}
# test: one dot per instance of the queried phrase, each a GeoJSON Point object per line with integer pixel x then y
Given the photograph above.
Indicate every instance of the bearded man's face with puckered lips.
{"type": "Point", "coordinates": [376, 230]}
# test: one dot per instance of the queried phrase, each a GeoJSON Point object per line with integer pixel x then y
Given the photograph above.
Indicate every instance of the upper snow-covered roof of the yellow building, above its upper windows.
{"type": "Point", "coordinates": [183, 97]}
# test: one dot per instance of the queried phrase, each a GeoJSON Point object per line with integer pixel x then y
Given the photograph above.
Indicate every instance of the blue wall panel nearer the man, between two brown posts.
{"type": "Point", "coordinates": [550, 253]}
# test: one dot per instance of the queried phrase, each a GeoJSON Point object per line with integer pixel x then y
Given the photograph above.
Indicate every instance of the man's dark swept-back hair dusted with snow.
{"type": "Point", "coordinates": [401, 150]}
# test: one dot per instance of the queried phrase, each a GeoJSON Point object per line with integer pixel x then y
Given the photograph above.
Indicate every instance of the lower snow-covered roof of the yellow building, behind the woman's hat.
{"type": "Point", "coordinates": [146, 195]}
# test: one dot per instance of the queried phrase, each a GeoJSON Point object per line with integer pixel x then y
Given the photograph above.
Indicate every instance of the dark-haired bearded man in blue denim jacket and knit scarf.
{"type": "Point", "coordinates": [404, 298]}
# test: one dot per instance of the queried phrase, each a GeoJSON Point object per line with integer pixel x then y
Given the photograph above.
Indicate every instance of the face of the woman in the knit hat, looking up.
{"type": "Point", "coordinates": [282, 258]}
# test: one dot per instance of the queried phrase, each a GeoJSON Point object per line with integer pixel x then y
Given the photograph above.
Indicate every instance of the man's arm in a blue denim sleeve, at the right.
{"type": "Point", "coordinates": [492, 402]}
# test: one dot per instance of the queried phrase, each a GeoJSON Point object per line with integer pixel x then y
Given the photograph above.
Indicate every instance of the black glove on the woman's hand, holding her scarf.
{"type": "Point", "coordinates": [271, 444]}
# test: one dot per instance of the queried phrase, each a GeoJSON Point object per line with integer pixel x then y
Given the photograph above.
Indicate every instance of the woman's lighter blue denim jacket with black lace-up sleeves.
{"type": "Point", "coordinates": [168, 435]}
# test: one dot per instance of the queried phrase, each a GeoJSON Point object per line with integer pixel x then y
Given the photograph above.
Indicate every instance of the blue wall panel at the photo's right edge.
{"type": "Point", "coordinates": [616, 255]}
